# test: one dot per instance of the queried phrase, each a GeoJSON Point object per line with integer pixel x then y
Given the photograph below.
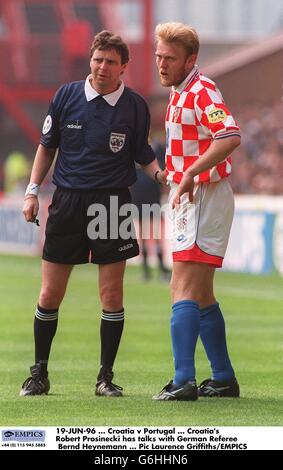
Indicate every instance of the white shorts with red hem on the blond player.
{"type": "Point", "coordinates": [200, 230]}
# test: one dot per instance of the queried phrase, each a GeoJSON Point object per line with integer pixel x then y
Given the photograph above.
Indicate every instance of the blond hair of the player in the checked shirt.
{"type": "Point", "coordinates": [180, 33]}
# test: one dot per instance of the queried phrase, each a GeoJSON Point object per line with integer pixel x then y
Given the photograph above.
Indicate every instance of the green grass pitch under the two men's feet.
{"type": "Point", "coordinates": [253, 308]}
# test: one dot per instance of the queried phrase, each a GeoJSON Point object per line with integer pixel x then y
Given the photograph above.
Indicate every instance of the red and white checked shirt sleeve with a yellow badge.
{"type": "Point", "coordinates": [213, 114]}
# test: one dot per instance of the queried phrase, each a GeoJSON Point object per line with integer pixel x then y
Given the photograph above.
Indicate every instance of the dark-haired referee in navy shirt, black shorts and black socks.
{"type": "Point", "coordinates": [100, 129]}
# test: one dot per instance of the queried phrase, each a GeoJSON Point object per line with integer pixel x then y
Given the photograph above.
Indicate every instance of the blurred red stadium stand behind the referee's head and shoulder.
{"type": "Point", "coordinates": [44, 43]}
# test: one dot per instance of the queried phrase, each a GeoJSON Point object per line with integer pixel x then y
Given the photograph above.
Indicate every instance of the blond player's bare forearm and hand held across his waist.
{"type": "Point", "coordinates": [216, 153]}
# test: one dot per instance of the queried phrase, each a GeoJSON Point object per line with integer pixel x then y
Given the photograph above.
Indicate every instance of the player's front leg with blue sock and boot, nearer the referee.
{"type": "Point", "coordinates": [191, 286]}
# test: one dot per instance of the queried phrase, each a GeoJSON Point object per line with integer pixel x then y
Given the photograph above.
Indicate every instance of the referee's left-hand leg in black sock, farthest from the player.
{"type": "Point", "coordinates": [54, 282]}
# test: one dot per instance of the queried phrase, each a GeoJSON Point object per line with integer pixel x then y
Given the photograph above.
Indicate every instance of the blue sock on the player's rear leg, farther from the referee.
{"type": "Point", "coordinates": [212, 333]}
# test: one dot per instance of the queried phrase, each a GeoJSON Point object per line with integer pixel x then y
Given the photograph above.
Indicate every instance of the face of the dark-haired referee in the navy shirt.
{"type": "Point", "coordinates": [106, 69]}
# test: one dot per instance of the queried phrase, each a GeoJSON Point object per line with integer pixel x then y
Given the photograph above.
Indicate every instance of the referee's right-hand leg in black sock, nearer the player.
{"type": "Point", "coordinates": [112, 322]}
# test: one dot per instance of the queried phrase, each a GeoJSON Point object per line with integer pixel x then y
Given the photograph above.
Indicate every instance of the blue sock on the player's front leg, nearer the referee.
{"type": "Point", "coordinates": [185, 326]}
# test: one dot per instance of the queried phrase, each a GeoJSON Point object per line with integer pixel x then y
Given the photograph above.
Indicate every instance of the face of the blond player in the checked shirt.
{"type": "Point", "coordinates": [173, 63]}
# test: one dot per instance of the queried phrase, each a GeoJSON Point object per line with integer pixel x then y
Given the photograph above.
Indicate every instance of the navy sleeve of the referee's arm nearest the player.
{"type": "Point", "coordinates": [144, 154]}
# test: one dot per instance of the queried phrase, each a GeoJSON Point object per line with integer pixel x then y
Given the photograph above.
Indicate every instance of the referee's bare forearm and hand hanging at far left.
{"type": "Point", "coordinates": [43, 160]}
